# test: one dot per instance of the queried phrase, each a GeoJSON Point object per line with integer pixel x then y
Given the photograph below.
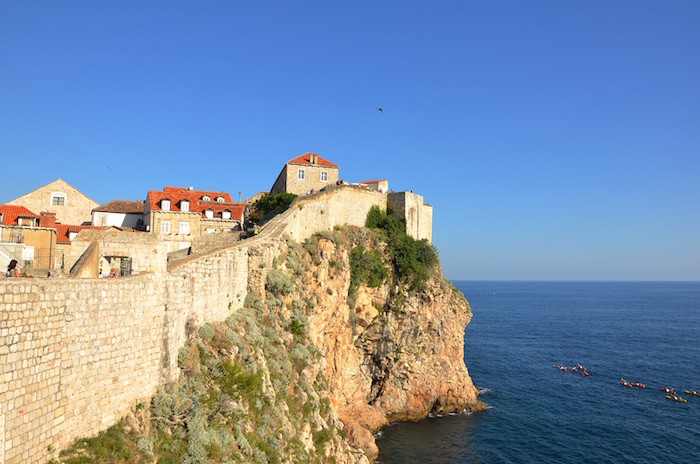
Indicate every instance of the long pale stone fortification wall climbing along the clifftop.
{"type": "Point", "coordinates": [76, 354]}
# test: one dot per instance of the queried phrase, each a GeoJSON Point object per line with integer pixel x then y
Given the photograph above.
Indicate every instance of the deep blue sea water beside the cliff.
{"type": "Point", "coordinates": [646, 332]}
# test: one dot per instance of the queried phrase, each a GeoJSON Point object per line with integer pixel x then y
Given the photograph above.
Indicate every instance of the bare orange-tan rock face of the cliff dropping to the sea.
{"type": "Point", "coordinates": [391, 354]}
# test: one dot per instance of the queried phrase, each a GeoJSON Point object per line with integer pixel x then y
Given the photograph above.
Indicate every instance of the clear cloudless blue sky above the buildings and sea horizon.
{"type": "Point", "coordinates": [555, 140]}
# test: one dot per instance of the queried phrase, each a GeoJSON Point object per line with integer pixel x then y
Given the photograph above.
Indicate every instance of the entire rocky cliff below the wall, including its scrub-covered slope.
{"type": "Point", "coordinates": [316, 361]}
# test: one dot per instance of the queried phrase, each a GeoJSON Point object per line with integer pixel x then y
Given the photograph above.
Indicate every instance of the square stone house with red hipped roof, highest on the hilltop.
{"type": "Point", "coordinates": [304, 174]}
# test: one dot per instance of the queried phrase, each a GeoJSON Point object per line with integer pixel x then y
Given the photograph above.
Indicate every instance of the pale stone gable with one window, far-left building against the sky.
{"type": "Point", "coordinates": [70, 205]}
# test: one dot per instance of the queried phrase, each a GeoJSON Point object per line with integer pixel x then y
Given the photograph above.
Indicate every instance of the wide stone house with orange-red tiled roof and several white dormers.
{"type": "Point", "coordinates": [181, 214]}
